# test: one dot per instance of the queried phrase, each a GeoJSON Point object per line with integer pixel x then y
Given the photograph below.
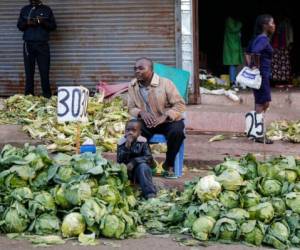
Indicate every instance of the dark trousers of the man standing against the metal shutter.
{"type": "Point", "coordinates": [37, 52]}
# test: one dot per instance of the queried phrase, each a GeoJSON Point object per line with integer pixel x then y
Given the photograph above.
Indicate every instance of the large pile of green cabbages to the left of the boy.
{"type": "Point", "coordinates": [82, 196]}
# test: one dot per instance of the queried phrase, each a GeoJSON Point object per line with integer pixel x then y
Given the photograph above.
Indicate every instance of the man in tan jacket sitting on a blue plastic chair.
{"type": "Point", "coordinates": [157, 102]}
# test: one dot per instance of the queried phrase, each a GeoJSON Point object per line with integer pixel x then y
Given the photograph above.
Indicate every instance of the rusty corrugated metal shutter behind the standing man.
{"type": "Point", "coordinates": [95, 40]}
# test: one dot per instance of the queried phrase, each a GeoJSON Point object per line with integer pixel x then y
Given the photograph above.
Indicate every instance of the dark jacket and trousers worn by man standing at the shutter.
{"type": "Point", "coordinates": [36, 47]}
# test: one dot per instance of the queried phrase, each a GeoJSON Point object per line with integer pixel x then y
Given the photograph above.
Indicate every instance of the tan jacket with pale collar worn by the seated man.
{"type": "Point", "coordinates": [164, 99]}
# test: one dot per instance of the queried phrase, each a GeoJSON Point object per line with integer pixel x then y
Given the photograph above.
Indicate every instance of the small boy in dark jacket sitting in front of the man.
{"type": "Point", "coordinates": [133, 150]}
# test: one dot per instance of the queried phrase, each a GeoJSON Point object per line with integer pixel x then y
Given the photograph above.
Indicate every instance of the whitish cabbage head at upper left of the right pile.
{"type": "Point", "coordinates": [207, 188]}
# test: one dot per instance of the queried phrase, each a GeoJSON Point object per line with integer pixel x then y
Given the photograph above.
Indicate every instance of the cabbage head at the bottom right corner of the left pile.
{"type": "Point", "coordinates": [112, 227]}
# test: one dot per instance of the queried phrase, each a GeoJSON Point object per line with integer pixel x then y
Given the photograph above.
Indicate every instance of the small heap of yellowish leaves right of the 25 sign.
{"type": "Point", "coordinates": [284, 130]}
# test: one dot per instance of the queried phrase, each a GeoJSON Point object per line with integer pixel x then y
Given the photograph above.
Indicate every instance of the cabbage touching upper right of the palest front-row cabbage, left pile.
{"type": "Point", "coordinates": [92, 211]}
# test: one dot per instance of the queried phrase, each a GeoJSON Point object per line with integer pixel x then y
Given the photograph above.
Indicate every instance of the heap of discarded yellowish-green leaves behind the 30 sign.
{"type": "Point", "coordinates": [38, 116]}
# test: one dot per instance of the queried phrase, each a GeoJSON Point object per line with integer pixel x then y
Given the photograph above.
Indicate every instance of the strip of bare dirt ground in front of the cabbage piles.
{"type": "Point", "coordinates": [147, 243]}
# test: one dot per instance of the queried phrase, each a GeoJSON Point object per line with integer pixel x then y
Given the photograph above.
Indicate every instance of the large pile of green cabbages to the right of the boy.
{"type": "Point", "coordinates": [244, 200]}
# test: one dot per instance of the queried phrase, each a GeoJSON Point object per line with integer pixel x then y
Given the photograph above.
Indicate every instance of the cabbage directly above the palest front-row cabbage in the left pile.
{"type": "Point", "coordinates": [77, 193]}
